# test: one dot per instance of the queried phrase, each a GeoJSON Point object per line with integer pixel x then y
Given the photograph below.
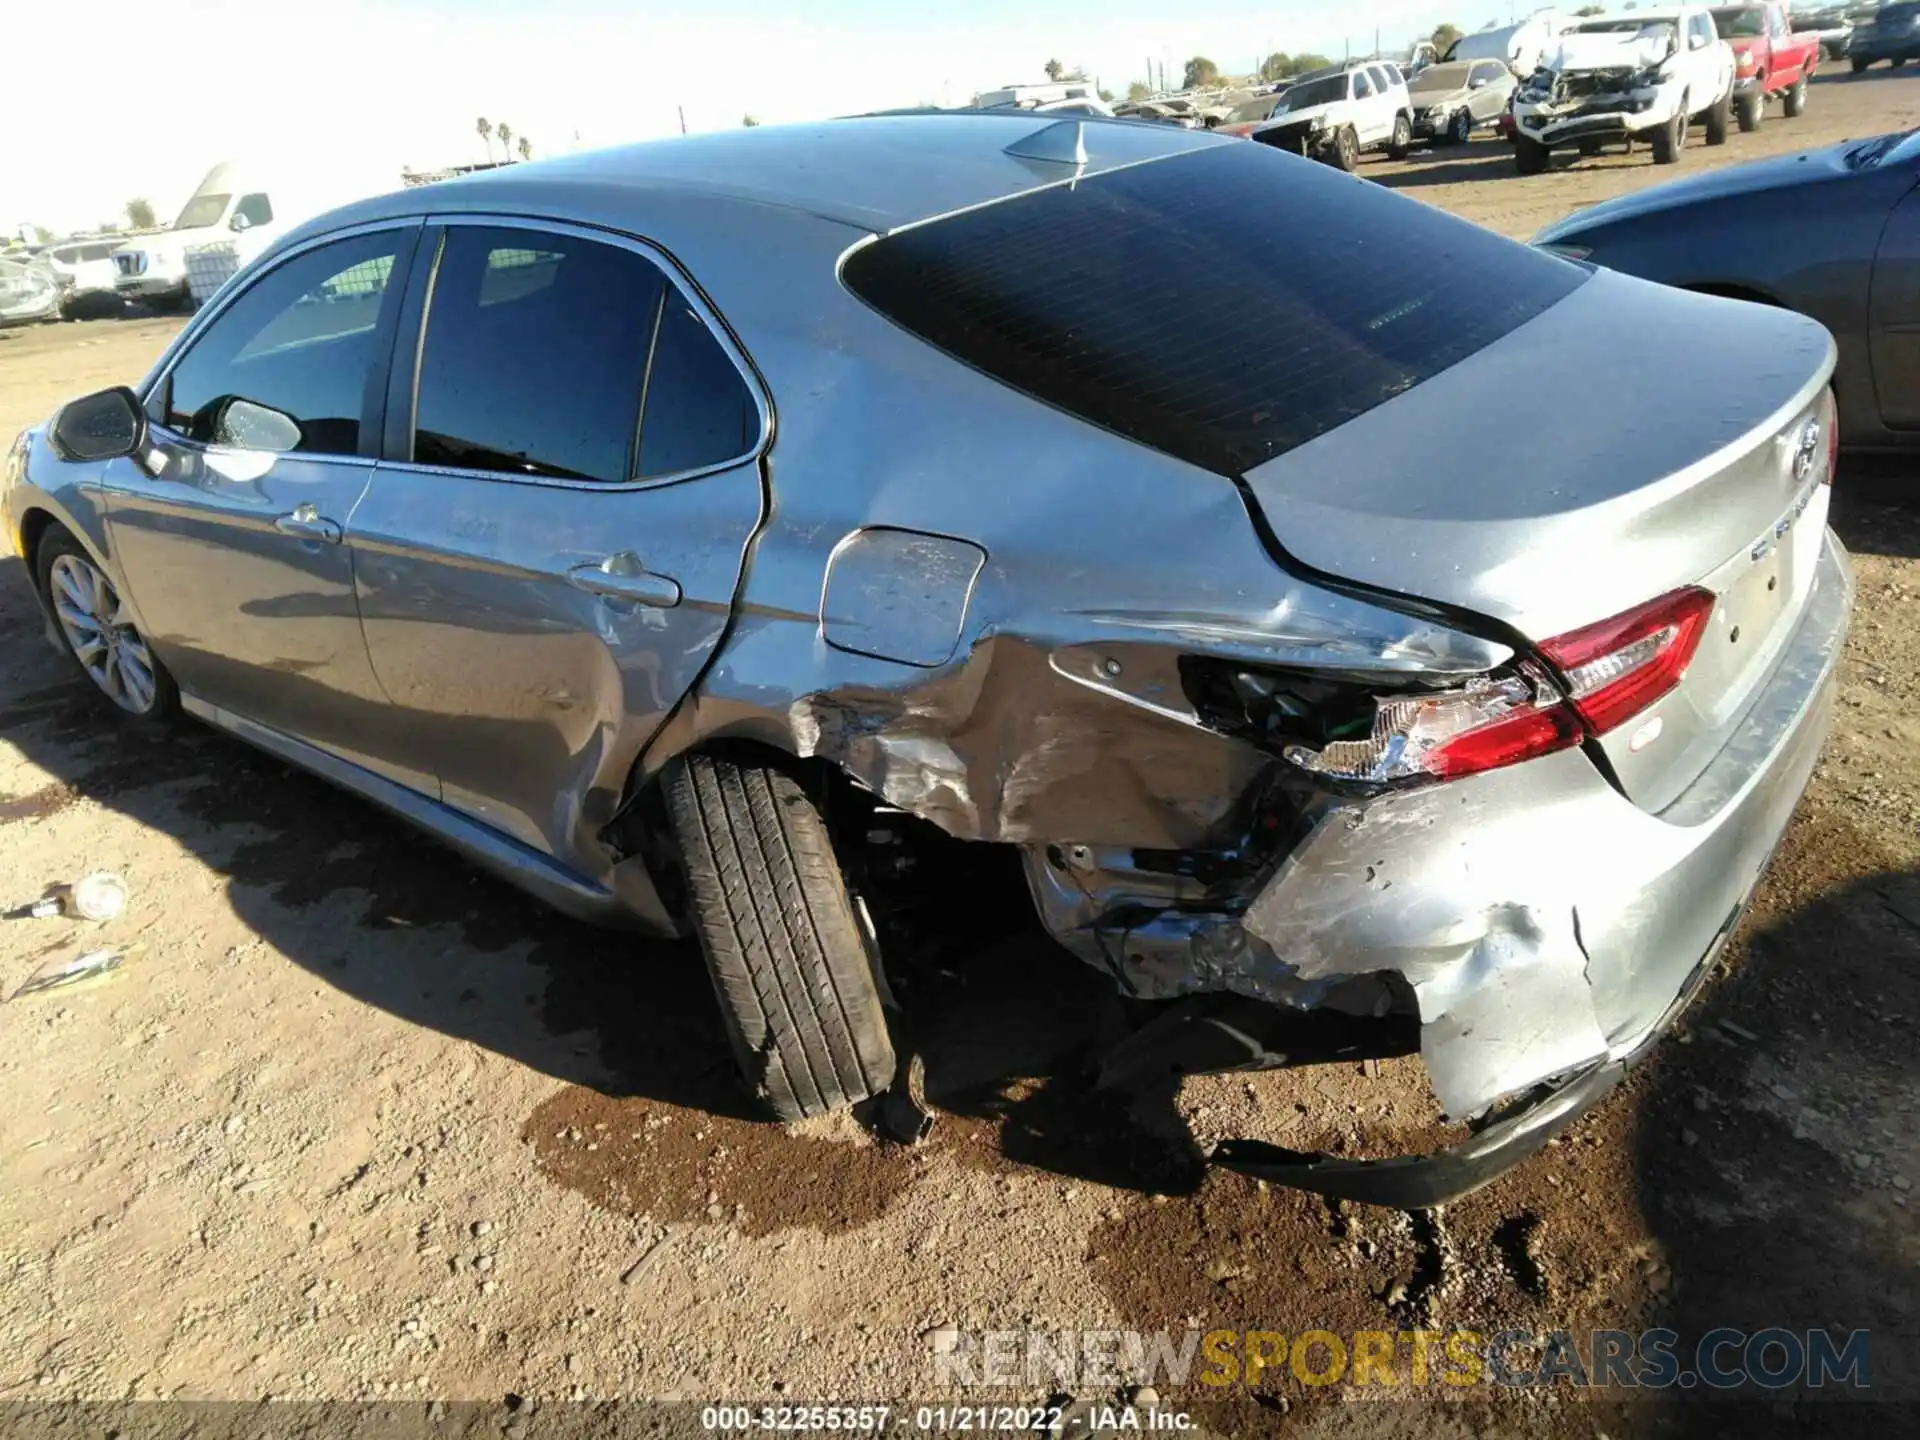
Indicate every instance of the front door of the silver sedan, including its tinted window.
{"type": "Point", "coordinates": [231, 533]}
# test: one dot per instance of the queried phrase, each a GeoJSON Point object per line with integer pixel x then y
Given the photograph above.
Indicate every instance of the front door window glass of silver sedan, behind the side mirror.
{"type": "Point", "coordinates": [299, 345]}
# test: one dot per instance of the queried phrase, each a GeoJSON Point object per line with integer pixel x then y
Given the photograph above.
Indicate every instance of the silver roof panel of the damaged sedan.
{"type": "Point", "coordinates": [876, 172]}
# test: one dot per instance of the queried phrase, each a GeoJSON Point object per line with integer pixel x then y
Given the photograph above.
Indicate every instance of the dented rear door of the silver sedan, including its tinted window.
{"type": "Point", "coordinates": [550, 548]}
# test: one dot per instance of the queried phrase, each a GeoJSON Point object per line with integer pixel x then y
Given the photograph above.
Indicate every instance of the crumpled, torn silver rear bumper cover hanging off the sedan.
{"type": "Point", "coordinates": [1547, 926]}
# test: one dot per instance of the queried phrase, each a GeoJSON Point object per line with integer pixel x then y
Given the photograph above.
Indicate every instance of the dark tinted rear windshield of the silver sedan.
{"type": "Point", "coordinates": [1126, 302]}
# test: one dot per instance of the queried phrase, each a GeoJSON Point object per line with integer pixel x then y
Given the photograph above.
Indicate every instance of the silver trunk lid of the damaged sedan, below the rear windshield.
{"type": "Point", "coordinates": [1623, 444]}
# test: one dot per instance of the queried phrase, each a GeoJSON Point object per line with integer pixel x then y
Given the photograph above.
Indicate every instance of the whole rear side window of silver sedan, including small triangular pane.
{"type": "Point", "coordinates": [575, 360]}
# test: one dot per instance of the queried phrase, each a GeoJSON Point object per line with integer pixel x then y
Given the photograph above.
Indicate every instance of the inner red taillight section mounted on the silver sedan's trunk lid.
{"type": "Point", "coordinates": [1620, 667]}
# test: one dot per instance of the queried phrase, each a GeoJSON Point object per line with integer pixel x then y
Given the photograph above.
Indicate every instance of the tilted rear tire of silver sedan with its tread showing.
{"type": "Point", "coordinates": [784, 946]}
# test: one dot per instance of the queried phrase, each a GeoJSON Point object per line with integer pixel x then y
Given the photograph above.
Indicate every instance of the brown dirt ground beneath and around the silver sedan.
{"type": "Point", "coordinates": [362, 1124]}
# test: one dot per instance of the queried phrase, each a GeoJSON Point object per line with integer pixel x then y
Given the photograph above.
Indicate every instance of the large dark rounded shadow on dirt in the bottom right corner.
{"type": "Point", "coordinates": [1777, 1149]}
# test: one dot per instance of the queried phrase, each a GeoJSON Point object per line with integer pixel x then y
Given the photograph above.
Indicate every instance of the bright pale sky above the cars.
{"type": "Point", "coordinates": [143, 97]}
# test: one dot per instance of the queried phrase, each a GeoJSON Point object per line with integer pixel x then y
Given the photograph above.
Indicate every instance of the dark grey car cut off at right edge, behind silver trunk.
{"type": "Point", "coordinates": [1831, 233]}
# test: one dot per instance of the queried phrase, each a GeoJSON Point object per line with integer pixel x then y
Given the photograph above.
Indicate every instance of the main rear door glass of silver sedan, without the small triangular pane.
{"type": "Point", "coordinates": [535, 356]}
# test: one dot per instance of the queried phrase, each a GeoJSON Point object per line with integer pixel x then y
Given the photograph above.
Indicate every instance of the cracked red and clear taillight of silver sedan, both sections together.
{"type": "Point", "coordinates": [1614, 671]}
